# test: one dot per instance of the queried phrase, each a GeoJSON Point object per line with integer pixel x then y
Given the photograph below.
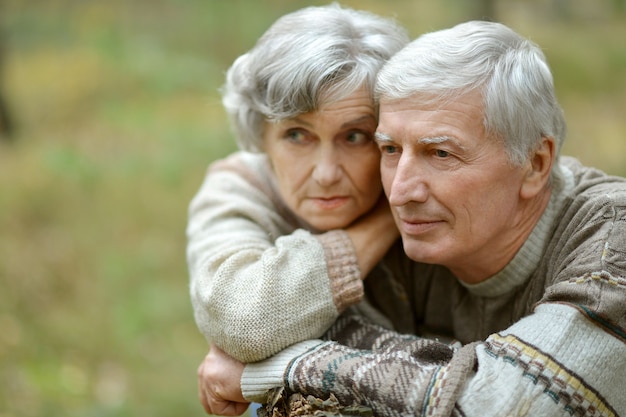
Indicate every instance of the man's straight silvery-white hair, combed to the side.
{"type": "Point", "coordinates": [510, 72]}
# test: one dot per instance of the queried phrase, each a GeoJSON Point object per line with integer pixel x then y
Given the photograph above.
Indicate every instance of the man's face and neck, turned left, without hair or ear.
{"type": "Point", "coordinates": [453, 193]}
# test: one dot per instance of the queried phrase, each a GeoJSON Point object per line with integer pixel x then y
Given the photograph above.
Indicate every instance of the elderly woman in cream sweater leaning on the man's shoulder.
{"type": "Point", "coordinates": [282, 233]}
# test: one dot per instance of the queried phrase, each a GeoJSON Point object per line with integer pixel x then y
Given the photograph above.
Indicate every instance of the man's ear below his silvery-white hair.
{"type": "Point", "coordinates": [539, 168]}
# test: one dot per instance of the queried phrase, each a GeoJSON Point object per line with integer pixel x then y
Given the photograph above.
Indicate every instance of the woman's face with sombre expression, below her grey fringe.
{"type": "Point", "coordinates": [326, 162]}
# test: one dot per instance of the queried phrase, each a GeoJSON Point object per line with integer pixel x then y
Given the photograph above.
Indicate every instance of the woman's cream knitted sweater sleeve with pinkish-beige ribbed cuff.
{"type": "Point", "coordinates": [257, 283]}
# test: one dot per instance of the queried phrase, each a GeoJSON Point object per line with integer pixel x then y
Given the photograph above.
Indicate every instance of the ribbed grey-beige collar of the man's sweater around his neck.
{"type": "Point", "coordinates": [521, 267]}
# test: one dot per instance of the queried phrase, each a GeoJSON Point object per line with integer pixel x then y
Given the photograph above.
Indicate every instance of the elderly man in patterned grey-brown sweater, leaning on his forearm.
{"type": "Point", "coordinates": [518, 254]}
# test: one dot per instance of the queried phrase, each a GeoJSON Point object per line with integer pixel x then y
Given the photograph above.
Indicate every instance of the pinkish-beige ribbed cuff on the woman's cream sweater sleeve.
{"type": "Point", "coordinates": [343, 269]}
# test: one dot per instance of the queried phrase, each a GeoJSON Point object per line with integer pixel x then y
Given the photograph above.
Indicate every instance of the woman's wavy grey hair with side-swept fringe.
{"type": "Point", "coordinates": [306, 59]}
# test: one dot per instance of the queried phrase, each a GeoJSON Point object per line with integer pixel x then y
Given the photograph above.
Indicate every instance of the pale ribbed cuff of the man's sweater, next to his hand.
{"type": "Point", "coordinates": [259, 377]}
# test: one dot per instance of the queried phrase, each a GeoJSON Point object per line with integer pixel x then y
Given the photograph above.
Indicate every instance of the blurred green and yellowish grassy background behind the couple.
{"type": "Point", "coordinates": [116, 115]}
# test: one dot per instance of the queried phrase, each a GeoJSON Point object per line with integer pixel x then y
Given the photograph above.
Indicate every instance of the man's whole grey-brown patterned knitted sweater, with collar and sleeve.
{"type": "Point", "coordinates": [546, 336]}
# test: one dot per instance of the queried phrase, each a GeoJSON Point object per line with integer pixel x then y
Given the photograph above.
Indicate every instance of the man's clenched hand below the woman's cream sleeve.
{"type": "Point", "coordinates": [219, 384]}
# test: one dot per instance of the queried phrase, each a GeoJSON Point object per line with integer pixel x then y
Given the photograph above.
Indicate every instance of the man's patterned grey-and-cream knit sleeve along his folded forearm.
{"type": "Point", "coordinates": [554, 362]}
